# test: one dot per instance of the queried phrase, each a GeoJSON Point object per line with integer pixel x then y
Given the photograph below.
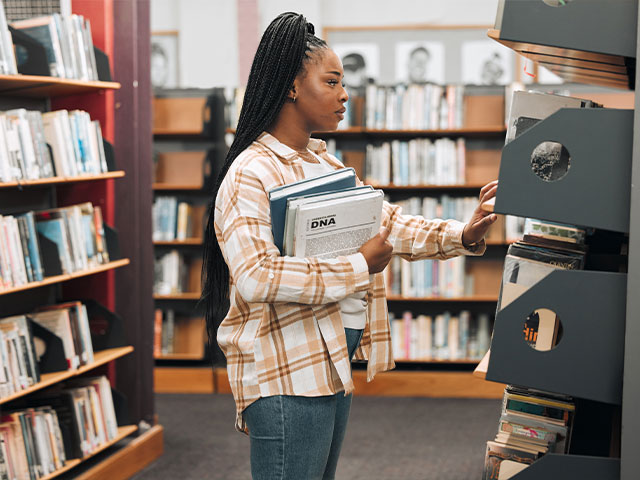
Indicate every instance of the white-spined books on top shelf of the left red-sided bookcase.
{"type": "Point", "coordinates": [67, 42]}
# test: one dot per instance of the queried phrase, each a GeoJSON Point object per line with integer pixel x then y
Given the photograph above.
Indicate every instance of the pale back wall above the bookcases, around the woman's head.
{"type": "Point", "coordinates": [209, 29]}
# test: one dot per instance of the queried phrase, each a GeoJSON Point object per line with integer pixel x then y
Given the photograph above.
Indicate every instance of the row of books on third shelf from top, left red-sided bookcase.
{"type": "Point", "coordinates": [76, 232]}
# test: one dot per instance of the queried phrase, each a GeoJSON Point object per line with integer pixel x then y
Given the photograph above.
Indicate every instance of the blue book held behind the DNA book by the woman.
{"type": "Point", "coordinates": [335, 180]}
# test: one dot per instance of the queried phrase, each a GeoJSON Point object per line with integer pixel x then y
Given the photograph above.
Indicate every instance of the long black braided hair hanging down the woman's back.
{"type": "Point", "coordinates": [287, 43]}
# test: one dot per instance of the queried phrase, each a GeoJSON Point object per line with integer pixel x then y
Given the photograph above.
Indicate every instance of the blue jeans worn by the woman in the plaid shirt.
{"type": "Point", "coordinates": [299, 438]}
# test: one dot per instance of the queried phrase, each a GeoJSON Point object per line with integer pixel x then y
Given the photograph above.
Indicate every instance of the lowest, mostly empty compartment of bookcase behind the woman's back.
{"type": "Point", "coordinates": [175, 332]}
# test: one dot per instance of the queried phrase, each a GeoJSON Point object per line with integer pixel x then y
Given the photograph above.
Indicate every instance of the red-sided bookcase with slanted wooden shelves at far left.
{"type": "Point", "coordinates": [117, 284]}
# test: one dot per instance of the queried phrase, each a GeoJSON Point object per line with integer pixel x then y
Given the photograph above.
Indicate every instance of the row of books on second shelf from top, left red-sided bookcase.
{"type": "Point", "coordinates": [61, 143]}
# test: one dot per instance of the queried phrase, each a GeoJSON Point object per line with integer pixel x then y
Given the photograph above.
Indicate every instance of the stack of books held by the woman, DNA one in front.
{"type": "Point", "coordinates": [325, 216]}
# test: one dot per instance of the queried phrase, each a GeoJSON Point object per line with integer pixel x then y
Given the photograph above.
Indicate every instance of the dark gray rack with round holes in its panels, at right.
{"type": "Point", "coordinates": [598, 357]}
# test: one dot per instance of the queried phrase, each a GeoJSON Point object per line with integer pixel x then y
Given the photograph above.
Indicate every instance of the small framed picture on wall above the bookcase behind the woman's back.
{"type": "Point", "coordinates": [164, 60]}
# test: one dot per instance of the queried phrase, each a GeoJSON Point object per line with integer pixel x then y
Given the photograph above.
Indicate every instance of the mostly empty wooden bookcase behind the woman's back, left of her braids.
{"type": "Point", "coordinates": [188, 145]}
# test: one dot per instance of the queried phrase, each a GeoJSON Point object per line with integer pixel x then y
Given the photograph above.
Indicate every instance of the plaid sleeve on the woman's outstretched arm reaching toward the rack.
{"type": "Point", "coordinates": [417, 238]}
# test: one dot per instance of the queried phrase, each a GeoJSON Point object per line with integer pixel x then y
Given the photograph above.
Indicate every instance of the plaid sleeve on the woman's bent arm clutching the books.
{"type": "Point", "coordinates": [260, 274]}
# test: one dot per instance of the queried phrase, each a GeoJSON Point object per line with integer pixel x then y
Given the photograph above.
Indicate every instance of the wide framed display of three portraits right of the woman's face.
{"type": "Point", "coordinates": [431, 53]}
